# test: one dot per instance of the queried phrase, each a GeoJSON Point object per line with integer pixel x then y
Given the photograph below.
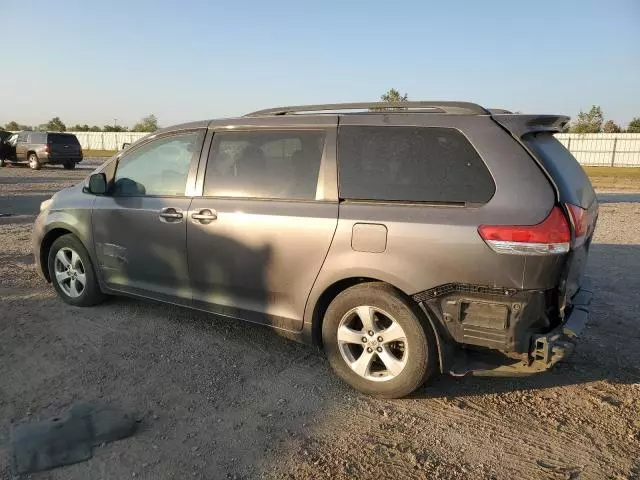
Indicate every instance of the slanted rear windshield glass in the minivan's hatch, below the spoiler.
{"type": "Point", "coordinates": [564, 169]}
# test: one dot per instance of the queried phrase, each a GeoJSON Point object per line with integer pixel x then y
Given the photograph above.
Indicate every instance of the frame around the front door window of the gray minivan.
{"type": "Point", "coordinates": [112, 167]}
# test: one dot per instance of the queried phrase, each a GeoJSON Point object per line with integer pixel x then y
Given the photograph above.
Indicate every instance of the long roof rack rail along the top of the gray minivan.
{"type": "Point", "coordinates": [453, 108]}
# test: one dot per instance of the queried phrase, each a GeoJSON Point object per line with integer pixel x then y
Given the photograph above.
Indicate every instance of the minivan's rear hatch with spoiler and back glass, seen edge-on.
{"type": "Point", "coordinates": [575, 194]}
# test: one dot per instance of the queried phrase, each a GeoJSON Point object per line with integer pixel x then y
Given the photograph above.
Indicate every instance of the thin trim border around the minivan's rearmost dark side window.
{"type": "Point", "coordinates": [430, 203]}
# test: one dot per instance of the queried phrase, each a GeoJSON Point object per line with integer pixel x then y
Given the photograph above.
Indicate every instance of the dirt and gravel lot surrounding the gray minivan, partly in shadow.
{"type": "Point", "coordinates": [220, 399]}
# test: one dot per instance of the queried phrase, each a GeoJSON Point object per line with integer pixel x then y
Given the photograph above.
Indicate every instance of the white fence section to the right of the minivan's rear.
{"type": "Point", "coordinates": [603, 149]}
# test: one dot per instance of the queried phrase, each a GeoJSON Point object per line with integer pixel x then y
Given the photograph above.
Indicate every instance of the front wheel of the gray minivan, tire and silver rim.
{"type": "Point", "coordinates": [67, 251]}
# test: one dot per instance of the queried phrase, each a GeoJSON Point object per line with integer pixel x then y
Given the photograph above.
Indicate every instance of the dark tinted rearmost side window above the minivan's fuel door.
{"type": "Point", "coordinates": [411, 164]}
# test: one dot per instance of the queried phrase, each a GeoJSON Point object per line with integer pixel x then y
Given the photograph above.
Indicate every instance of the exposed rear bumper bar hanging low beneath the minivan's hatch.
{"type": "Point", "coordinates": [546, 349]}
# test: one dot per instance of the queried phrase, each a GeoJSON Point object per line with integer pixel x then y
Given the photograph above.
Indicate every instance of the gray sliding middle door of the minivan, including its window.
{"type": "Point", "coordinates": [258, 235]}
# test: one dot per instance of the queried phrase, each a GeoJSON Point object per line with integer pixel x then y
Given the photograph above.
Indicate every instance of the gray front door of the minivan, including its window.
{"type": "Point", "coordinates": [140, 227]}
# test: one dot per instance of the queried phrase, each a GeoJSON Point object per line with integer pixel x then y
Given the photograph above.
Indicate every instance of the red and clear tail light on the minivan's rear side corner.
{"type": "Point", "coordinates": [551, 236]}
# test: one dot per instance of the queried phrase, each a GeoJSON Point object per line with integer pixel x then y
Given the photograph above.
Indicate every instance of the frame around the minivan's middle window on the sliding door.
{"type": "Point", "coordinates": [325, 191]}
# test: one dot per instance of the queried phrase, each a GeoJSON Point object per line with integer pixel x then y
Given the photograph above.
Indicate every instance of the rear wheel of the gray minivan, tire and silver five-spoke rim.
{"type": "Point", "coordinates": [414, 357]}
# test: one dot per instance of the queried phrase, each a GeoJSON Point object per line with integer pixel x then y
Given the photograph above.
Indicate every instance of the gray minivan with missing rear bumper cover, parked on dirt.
{"type": "Point", "coordinates": [399, 237]}
